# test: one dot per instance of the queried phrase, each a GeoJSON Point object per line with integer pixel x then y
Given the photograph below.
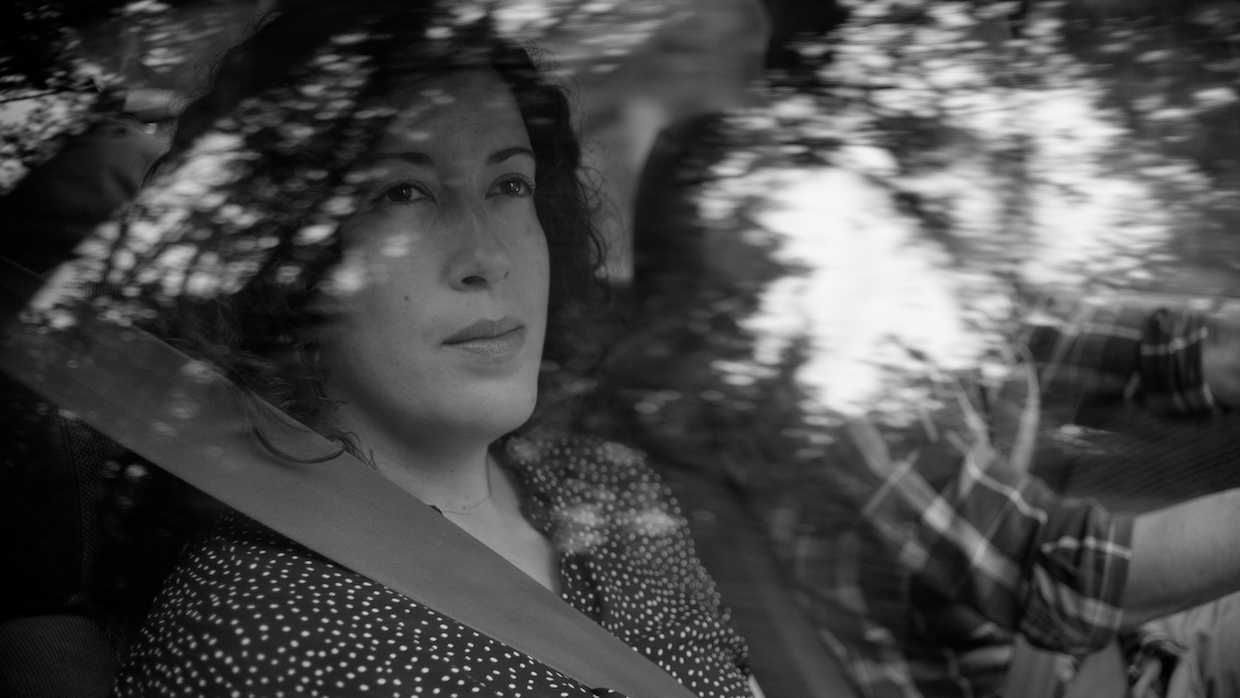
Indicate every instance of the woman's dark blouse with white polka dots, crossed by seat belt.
{"type": "Point", "coordinates": [251, 613]}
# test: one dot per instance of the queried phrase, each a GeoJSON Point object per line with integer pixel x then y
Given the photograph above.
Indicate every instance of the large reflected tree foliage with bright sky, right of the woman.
{"type": "Point", "coordinates": [880, 231]}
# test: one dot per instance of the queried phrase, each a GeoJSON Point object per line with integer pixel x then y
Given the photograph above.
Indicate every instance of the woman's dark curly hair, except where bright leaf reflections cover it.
{"type": "Point", "coordinates": [262, 334]}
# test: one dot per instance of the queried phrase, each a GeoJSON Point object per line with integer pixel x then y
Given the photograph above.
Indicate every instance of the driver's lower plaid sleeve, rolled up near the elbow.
{"type": "Point", "coordinates": [1000, 544]}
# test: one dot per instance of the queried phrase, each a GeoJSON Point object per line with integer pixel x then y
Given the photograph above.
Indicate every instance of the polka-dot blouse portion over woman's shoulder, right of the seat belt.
{"type": "Point", "coordinates": [603, 501]}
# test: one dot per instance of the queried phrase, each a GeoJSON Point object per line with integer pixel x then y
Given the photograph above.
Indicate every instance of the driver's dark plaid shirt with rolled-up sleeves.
{"type": "Point", "coordinates": [922, 554]}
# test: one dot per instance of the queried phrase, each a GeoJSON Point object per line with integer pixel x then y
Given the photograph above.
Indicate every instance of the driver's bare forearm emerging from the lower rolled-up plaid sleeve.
{"type": "Point", "coordinates": [1182, 557]}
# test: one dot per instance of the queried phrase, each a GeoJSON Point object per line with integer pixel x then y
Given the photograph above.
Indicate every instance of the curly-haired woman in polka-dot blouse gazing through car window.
{"type": "Point", "coordinates": [373, 221]}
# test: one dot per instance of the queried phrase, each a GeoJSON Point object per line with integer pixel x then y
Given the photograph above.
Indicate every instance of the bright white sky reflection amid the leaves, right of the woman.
{"type": "Point", "coordinates": [876, 285]}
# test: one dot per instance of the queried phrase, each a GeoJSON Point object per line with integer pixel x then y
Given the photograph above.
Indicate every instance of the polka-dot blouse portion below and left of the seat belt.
{"type": "Point", "coordinates": [250, 612]}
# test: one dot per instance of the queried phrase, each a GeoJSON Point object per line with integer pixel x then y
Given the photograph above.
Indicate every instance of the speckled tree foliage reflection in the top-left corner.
{"type": "Point", "coordinates": [65, 65]}
